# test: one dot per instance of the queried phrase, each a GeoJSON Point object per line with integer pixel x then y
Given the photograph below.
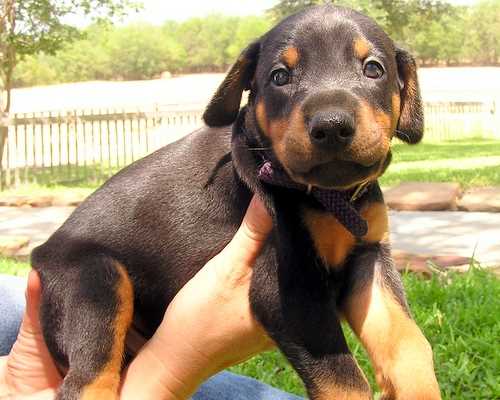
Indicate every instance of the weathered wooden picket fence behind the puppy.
{"type": "Point", "coordinates": [90, 145]}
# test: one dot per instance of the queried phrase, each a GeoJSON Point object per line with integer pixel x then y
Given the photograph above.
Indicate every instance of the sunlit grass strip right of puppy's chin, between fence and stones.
{"type": "Point", "coordinates": [470, 162]}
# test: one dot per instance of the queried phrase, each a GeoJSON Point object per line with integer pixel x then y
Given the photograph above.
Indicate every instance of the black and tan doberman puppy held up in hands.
{"type": "Point", "coordinates": [328, 90]}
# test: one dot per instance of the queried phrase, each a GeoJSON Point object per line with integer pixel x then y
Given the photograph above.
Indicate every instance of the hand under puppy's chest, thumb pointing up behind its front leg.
{"type": "Point", "coordinates": [209, 325]}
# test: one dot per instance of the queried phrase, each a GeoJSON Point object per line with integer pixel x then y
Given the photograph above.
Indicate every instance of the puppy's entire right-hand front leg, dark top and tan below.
{"type": "Point", "coordinates": [376, 310]}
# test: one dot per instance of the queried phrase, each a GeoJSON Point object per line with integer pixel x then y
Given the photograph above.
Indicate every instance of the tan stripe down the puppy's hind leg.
{"type": "Point", "coordinates": [106, 385]}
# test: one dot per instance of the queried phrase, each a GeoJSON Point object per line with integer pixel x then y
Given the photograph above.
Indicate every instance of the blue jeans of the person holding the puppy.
{"type": "Point", "coordinates": [223, 386]}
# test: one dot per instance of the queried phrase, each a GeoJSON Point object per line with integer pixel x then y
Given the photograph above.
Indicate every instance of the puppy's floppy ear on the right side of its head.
{"type": "Point", "coordinates": [411, 120]}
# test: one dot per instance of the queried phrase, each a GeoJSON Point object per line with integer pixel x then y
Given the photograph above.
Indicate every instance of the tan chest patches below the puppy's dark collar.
{"type": "Point", "coordinates": [333, 242]}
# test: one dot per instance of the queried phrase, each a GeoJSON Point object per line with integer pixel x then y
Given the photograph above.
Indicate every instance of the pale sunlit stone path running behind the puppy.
{"type": "Point", "coordinates": [446, 237]}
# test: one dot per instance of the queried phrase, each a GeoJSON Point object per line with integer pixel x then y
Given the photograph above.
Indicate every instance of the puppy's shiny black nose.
{"type": "Point", "coordinates": [332, 128]}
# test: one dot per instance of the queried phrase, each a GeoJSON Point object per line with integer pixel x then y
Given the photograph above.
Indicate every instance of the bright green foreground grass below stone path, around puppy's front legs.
{"type": "Point", "coordinates": [457, 312]}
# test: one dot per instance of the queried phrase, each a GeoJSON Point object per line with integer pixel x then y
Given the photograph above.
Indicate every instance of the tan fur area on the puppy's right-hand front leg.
{"type": "Point", "coordinates": [399, 352]}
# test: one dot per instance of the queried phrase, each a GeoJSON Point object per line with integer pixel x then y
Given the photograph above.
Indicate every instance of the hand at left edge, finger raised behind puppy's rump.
{"type": "Point", "coordinates": [28, 372]}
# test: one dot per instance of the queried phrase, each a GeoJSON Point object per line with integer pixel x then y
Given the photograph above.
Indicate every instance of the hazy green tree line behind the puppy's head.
{"type": "Point", "coordinates": [437, 33]}
